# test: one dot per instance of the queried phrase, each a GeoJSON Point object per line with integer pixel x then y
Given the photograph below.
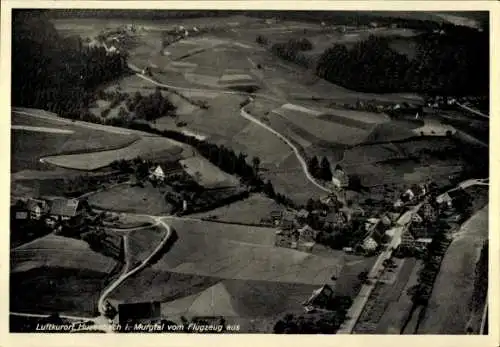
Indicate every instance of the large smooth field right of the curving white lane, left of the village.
{"type": "Point", "coordinates": [240, 252]}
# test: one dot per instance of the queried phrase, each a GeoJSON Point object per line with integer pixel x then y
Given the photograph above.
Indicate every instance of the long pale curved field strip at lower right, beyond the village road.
{"type": "Point", "coordinates": [450, 304]}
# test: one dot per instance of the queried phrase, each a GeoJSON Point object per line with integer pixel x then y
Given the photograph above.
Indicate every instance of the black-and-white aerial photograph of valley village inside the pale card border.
{"type": "Point", "coordinates": [250, 171]}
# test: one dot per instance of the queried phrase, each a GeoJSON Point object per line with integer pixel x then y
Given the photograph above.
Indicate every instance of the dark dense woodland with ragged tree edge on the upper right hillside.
{"type": "Point", "coordinates": [453, 62]}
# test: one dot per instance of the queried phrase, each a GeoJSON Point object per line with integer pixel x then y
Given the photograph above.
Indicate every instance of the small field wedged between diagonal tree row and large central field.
{"type": "Point", "coordinates": [249, 211]}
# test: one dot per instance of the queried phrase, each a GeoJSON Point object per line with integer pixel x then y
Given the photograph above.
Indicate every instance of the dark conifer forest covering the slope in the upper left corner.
{"type": "Point", "coordinates": [55, 73]}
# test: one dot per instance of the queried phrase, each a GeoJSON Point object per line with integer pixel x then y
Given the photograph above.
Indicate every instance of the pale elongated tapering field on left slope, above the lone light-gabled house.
{"type": "Point", "coordinates": [148, 147]}
